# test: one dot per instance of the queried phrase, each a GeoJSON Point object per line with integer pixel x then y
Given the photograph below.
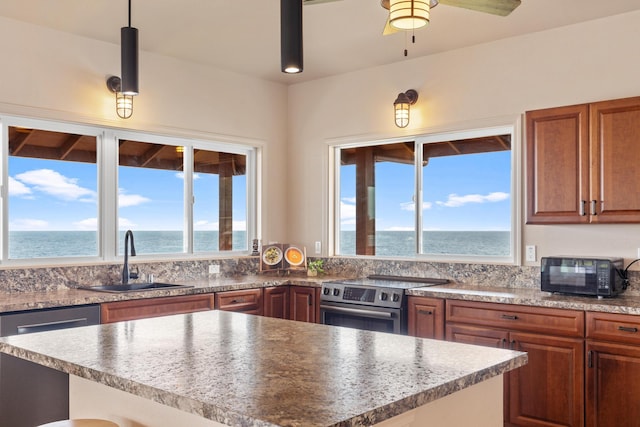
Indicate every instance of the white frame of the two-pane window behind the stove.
{"type": "Point", "coordinates": [419, 140]}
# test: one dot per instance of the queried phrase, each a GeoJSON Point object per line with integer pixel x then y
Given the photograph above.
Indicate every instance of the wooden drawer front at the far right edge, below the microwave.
{"type": "Point", "coordinates": [613, 327]}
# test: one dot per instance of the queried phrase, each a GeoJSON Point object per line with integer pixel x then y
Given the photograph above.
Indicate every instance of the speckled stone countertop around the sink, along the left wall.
{"type": "Point", "coordinates": [19, 301]}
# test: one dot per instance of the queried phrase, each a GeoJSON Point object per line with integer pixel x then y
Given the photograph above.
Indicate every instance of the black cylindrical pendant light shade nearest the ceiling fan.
{"type": "Point", "coordinates": [291, 36]}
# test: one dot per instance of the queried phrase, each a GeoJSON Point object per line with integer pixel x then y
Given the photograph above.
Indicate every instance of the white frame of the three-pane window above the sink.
{"type": "Point", "coordinates": [107, 165]}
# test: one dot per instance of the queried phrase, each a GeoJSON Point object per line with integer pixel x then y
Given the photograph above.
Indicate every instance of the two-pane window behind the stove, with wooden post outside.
{"type": "Point", "coordinates": [462, 185]}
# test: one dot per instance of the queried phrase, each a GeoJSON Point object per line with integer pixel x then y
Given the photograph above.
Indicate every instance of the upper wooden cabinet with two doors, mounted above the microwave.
{"type": "Point", "coordinates": [579, 163]}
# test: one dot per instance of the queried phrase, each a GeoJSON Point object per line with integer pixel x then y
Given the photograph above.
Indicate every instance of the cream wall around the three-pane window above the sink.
{"type": "Point", "coordinates": [54, 75]}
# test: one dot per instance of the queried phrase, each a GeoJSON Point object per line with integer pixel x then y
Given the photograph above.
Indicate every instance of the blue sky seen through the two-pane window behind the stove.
{"type": "Point", "coordinates": [469, 192]}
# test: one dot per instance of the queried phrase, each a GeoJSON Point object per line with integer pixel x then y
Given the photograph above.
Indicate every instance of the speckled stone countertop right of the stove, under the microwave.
{"type": "Point", "coordinates": [623, 304]}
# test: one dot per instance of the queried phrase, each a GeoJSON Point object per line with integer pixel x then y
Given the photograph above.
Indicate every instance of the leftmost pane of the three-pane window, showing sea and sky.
{"type": "Point", "coordinates": [53, 194]}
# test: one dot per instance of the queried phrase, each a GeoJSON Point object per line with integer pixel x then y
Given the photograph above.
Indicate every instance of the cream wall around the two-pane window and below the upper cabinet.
{"type": "Point", "coordinates": [486, 84]}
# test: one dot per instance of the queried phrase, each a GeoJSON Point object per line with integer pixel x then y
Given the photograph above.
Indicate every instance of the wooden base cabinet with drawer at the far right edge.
{"type": "Point", "coordinates": [613, 369]}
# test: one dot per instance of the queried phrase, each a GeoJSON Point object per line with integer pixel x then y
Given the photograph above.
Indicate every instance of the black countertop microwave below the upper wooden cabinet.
{"type": "Point", "coordinates": [597, 276]}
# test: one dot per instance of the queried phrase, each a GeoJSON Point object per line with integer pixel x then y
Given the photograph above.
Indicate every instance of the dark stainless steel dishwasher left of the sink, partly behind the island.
{"type": "Point", "coordinates": [32, 394]}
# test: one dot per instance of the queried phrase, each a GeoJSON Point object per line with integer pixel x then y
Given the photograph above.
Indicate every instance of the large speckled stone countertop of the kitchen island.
{"type": "Point", "coordinates": [240, 369]}
